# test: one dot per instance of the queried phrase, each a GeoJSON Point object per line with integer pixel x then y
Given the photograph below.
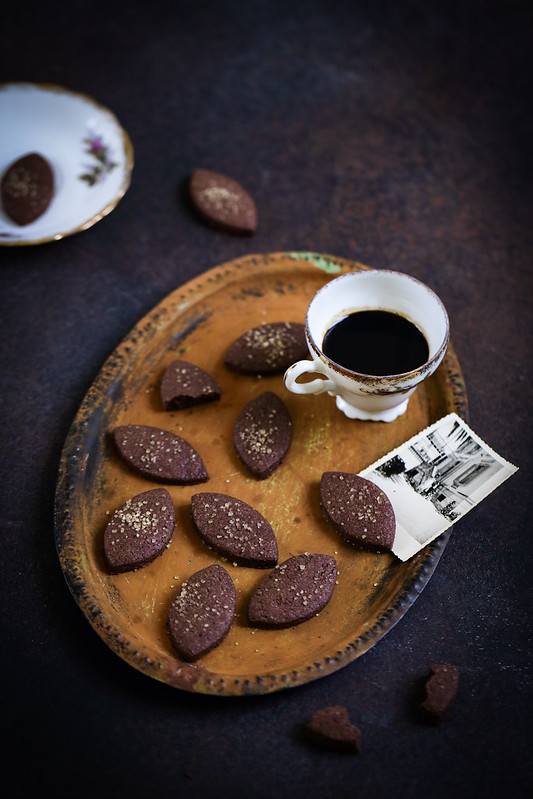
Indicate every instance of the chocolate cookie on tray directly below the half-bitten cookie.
{"type": "Point", "coordinates": [159, 454]}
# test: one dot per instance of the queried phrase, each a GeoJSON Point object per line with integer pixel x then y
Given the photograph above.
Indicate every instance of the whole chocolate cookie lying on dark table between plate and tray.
{"type": "Point", "coordinates": [223, 202]}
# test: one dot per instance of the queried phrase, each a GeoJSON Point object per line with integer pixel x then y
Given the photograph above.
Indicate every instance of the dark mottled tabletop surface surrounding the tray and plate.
{"type": "Point", "coordinates": [393, 133]}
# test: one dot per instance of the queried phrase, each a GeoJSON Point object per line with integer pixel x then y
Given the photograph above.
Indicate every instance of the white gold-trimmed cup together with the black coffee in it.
{"type": "Point", "coordinates": [373, 335]}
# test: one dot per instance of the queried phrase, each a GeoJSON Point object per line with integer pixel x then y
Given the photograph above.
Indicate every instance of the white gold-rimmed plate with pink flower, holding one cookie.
{"type": "Point", "coordinates": [91, 157]}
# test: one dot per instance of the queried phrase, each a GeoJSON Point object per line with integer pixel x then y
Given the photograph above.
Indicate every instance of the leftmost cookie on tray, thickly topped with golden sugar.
{"type": "Point", "coordinates": [139, 531]}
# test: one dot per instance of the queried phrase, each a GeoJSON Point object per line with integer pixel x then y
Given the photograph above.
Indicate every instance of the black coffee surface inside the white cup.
{"type": "Point", "coordinates": [376, 343]}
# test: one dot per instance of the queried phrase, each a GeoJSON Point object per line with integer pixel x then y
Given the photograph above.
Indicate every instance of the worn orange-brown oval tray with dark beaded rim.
{"type": "Point", "coordinates": [198, 322]}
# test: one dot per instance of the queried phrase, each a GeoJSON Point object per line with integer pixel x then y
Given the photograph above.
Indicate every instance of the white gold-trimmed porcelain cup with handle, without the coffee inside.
{"type": "Point", "coordinates": [374, 397]}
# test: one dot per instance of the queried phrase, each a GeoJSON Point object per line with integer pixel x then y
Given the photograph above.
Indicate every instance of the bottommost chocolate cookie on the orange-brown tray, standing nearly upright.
{"type": "Point", "coordinates": [201, 614]}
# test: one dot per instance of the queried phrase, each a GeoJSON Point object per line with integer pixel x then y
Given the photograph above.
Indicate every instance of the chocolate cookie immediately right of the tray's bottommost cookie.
{"type": "Point", "coordinates": [293, 592]}
